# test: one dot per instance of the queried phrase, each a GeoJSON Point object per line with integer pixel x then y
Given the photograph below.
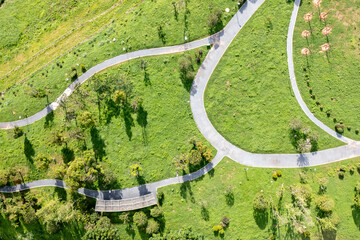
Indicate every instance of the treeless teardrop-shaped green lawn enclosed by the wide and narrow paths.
{"type": "Point", "coordinates": [249, 97]}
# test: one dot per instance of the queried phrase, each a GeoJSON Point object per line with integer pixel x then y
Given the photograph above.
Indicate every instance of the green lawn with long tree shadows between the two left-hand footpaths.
{"type": "Point", "coordinates": [153, 136]}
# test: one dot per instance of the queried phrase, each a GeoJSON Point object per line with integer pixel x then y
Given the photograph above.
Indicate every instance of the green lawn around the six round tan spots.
{"type": "Point", "coordinates": [334, 80]}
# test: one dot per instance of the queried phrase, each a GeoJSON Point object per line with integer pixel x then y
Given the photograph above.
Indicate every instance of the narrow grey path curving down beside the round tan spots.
{"type": "Point", "coordinates": [294, 85]}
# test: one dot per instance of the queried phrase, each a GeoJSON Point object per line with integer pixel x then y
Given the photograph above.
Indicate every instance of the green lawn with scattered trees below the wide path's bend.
{"type": "Point", "coordinates": [183, 202]}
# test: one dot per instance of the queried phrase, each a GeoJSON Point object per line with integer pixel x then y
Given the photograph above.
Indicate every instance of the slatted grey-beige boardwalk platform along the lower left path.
{"type": "Point", "coordinates": [127, 204]}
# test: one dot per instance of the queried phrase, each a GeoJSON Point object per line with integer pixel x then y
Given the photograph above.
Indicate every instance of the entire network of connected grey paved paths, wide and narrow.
{"type": "Point", "coordinates": [220, 42]}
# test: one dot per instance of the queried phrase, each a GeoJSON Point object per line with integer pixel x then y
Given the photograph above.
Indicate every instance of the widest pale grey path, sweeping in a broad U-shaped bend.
{"type": "Point", "coordinates": [235, 153]}
